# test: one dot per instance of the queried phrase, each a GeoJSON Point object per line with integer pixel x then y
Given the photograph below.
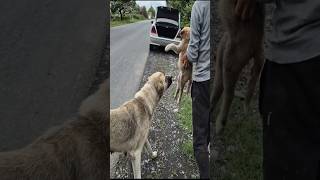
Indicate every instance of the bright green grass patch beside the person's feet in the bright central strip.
{"type": "Point", "coordinates": [185, 121]}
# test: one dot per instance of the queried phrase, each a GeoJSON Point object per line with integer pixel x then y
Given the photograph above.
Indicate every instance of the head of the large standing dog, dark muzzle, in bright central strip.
{"type": "Point", "coordinates": [160, 81]}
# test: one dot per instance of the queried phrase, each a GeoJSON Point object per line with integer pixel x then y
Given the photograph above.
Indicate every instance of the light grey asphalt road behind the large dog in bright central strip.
{"type": "Point", "coordinates": [129, 48]}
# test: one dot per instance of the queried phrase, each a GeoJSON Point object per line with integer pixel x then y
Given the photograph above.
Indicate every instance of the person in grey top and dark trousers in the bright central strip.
{"type": "Point", "coordinates": [198, 53]}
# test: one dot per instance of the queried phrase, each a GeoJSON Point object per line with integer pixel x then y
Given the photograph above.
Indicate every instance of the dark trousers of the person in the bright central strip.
{"type": "Point", "coordinates": [201, 128]}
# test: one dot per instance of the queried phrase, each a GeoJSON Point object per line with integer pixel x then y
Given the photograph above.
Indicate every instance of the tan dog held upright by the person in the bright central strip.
{"type": "Point", "coordinates": [185, 74]}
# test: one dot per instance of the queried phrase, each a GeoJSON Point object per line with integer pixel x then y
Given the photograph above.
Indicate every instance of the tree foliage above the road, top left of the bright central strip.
{"type": "Point", "coordinates": [122, 7]}
